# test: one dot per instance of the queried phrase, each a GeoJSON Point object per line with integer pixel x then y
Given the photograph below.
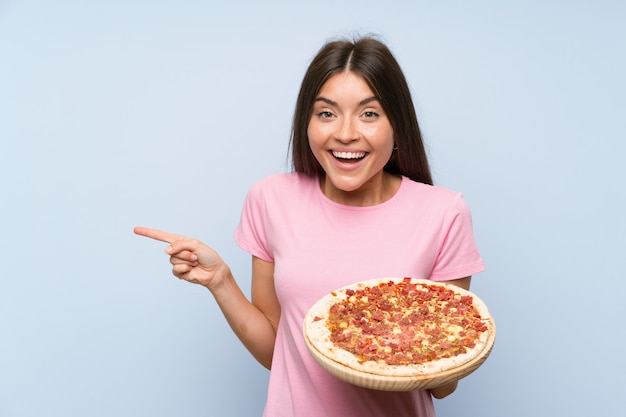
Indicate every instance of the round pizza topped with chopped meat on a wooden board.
{"type": "Point", "coordinates": [399, 327]}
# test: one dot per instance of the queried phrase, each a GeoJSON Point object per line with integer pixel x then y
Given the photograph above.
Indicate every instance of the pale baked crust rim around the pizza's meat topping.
{"type": "Point", "coordinates": [319, 341]}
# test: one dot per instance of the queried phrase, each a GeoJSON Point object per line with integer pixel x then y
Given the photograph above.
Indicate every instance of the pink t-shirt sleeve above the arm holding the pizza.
{"type": "Point", "coordinates": [458, 254]}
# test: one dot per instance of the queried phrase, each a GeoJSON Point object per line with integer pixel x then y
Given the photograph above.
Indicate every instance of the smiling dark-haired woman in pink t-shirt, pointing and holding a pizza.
{"type": "Point", "coordinates": [360, 204]}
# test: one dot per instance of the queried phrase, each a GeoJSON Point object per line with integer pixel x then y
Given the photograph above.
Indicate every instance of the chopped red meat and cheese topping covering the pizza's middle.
{"type": "Point", "coordinates": [404, 323]}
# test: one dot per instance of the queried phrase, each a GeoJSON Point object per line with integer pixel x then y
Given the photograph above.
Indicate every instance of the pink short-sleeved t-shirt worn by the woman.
{"type": "Point", "coordinates": [317, 245]}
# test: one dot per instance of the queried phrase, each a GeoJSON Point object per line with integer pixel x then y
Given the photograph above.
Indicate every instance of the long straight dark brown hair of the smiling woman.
{"type": "Point", "coordinates": [374, 62]}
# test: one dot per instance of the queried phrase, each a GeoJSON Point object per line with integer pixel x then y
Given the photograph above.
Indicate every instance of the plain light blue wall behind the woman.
{"type": "Point", "coordinates": [162, 113]}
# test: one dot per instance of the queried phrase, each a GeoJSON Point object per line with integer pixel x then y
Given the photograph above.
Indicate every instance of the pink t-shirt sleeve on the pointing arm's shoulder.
{"type": "Point", "coordinates": [251, 232]}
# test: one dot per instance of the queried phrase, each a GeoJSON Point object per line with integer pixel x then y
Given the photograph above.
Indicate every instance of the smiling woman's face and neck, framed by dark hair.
{"type": "Point", "coordinates": [352, 139]}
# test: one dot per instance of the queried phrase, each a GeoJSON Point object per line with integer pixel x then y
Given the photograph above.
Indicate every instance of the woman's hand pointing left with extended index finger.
{"type": "Point", "coordinates": [192, 260]}
